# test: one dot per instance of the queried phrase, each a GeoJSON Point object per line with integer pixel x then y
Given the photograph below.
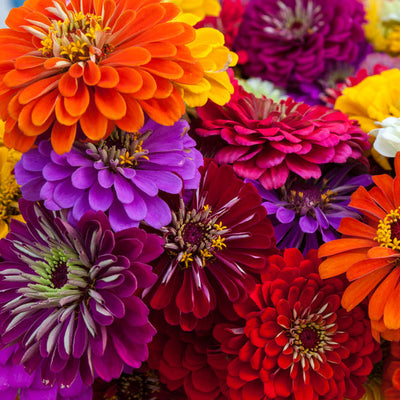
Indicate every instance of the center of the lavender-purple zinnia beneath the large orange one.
{"type": "Point", "coordinates": [120, 149]}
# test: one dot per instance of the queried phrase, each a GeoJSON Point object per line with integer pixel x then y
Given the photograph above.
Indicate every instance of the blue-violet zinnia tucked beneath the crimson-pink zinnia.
{"type": "Point", "coordinates": [307, 213]}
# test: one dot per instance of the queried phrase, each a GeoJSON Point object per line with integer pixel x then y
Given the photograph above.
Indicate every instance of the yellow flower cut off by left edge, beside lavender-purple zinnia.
{"type": "Point", "coordinates": [9, 189]}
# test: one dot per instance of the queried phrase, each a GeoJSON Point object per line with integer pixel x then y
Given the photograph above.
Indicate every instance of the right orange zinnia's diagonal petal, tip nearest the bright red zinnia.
{"type": "Point", "coordinates": [356, 292]}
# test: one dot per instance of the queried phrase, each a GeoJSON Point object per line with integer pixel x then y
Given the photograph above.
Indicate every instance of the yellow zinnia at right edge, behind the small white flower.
{"type": "Point", "coordinates": [373, 100]}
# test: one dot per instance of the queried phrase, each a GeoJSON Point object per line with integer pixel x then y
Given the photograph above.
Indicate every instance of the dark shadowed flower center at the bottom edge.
{"type": "Point", "coordinates": [138, 386]}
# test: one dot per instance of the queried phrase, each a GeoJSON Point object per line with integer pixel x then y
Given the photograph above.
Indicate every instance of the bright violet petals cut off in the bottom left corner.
{"type": "Point", "coordinates": [14, 379]}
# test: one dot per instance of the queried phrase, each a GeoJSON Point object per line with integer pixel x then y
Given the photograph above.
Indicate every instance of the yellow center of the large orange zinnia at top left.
{"type": "Point", "coordinates": [77, 38]}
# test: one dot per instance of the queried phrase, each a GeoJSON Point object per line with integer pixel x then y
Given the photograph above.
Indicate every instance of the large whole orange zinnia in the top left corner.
{"type": "Point", "coordinates": [92, 65]}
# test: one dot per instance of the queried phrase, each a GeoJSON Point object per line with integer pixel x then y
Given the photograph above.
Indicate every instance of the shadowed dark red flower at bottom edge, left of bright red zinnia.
{"type": "Point", "coordinates": [191, 361]}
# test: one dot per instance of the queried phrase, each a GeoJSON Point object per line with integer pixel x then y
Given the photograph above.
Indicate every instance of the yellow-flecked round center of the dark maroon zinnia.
{"type": "Point", "coordinates": [194, 236]}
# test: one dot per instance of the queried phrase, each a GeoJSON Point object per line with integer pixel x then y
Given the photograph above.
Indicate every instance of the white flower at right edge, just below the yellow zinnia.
{"type": "Point", "coordinates": [387, 142]}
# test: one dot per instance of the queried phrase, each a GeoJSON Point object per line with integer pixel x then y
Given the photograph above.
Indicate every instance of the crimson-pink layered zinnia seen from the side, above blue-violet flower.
{"type": "Point", "coordinates": [264, 140]}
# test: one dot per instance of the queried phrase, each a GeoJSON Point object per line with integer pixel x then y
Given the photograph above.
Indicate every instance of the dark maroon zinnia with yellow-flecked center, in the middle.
{"type": "Point", "coordinates": [214, 246]}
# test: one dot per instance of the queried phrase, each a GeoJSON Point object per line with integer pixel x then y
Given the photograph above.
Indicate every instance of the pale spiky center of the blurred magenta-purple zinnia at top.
{"type": "Point", "coordinates": [295, 23]}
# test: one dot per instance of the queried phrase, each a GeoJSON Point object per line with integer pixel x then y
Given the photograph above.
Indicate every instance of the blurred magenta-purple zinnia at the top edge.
{"type": "Point", "coordinates": [293, 42]}
